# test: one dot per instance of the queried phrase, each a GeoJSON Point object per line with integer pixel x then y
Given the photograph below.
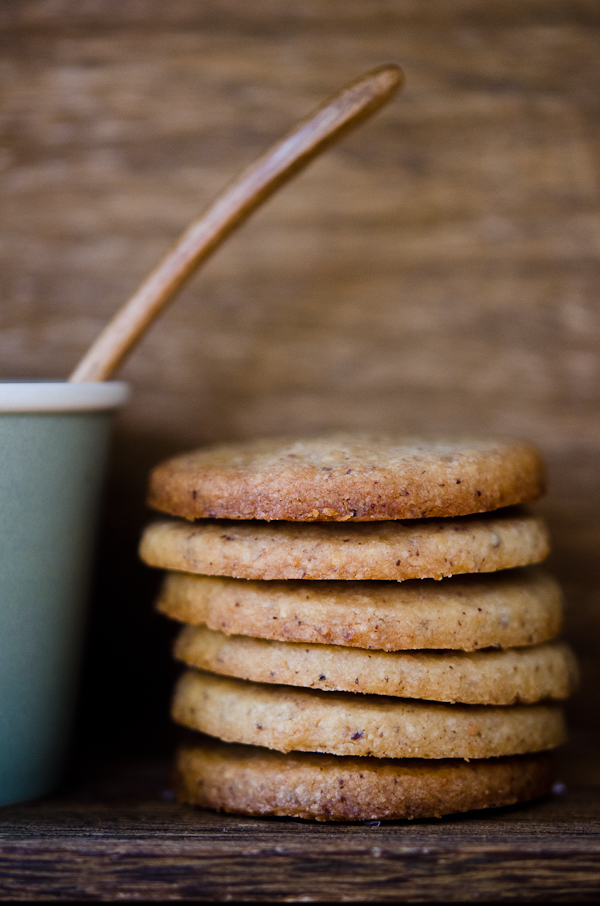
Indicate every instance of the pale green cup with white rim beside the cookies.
{"type": "Point", "coordinates": [53, 444]}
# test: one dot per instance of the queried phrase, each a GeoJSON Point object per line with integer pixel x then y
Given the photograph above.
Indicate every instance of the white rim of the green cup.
{"type": "Point", "coordinates": [62, 396]}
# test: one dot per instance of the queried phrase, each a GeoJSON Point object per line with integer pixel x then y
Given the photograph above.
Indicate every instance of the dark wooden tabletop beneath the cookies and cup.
{"type": "Point", "coordinates": [118, 834]}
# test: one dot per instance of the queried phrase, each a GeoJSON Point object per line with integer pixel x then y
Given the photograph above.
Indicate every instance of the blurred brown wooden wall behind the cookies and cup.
{"type": "Point", "coordinates": [437, 271]}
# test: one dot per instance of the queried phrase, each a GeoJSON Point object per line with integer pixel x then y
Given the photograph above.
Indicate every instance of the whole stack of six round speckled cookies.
{"type": "Point", "coordinates": [366, 633]}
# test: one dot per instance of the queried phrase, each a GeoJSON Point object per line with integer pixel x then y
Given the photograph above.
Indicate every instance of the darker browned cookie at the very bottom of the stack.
{"type": "Point", "coordinates": [251, 780]}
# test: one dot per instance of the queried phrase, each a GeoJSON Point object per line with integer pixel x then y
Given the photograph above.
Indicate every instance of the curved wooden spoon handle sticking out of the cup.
{"type": "Point", "coordinates": [311, 136]}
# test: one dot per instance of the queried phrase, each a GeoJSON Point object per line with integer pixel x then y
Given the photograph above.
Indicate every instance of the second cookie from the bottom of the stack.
{"type": "Point", "coordinates": [286, 719]}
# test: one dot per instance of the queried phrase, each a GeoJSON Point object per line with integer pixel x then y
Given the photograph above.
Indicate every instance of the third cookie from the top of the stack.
{"type": "Point", "coordinates": [506, 609]}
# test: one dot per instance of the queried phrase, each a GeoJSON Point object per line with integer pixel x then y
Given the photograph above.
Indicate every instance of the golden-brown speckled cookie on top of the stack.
{"type": "Point", "coordinates": [348, 478]}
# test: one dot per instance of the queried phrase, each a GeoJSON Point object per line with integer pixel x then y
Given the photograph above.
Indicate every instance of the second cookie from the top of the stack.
{"type": "Point", "coordinates": [427, 549]}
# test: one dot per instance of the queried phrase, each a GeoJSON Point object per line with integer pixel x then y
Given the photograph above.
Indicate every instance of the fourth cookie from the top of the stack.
{"type": "Point", "coordinates": [507, 677]}
